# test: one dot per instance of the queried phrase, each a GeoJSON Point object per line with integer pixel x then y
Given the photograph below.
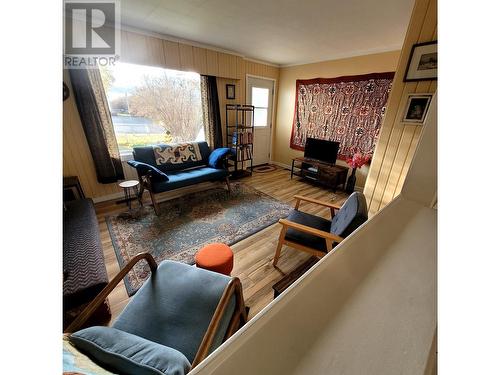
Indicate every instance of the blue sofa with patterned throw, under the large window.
{"type": "Point", "coordinates": [166, 167]}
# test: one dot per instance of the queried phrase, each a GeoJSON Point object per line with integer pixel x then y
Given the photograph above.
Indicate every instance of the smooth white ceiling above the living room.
{"type": "Point", "coordinates": [283, 32]}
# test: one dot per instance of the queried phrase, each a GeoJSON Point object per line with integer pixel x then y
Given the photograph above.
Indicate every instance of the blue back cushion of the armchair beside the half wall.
{"type": "Point", "coordinates": [351, 215]}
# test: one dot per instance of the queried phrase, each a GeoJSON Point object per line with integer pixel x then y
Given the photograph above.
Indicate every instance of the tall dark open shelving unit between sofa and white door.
{"type": "Point", "coordinates": [239, 137]}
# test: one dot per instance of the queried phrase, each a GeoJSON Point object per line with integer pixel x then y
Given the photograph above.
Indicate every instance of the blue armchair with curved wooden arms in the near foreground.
{"type": "Point", "coordinates": [178, 317]}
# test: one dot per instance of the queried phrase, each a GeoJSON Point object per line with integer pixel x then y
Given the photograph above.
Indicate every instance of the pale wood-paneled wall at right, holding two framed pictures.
{"type": "Point", "coordinates": [397, 143]}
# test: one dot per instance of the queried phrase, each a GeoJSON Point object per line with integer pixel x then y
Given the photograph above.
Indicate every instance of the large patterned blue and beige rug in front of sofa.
{"type": "Point", "coordinates": [188, 223]}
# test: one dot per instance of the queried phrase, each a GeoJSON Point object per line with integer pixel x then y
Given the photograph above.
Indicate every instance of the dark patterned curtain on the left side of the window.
{"type": "Point", "coordinates": [97, 124]}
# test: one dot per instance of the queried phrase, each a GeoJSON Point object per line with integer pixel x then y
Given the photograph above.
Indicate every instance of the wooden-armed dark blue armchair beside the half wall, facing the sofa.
{"type": "Point", "coordinates": [316, 235]}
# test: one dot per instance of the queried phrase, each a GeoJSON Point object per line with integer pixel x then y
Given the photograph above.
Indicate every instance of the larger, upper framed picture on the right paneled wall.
{"type": "Point", "coordinates": [422, 65]}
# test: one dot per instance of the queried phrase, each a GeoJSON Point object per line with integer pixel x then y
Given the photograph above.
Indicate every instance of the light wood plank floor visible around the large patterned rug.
{"type": "Point", "coordinates": [253, 256]}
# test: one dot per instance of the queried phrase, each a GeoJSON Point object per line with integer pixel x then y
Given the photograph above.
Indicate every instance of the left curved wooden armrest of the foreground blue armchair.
{"type": "Point", "coordinates": [99, 299]}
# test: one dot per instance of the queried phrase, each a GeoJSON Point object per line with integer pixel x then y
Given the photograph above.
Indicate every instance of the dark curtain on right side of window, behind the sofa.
{"type": "Point", "coordinates": [211, 111]}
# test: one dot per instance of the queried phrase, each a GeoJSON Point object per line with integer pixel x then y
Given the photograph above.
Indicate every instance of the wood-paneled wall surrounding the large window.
{"type": "Point", "coordinates": [148, 50]}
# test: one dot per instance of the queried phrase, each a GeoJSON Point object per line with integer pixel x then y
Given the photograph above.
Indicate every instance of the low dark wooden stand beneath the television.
{"type": "Point", "coordinates": [327, 174]}
